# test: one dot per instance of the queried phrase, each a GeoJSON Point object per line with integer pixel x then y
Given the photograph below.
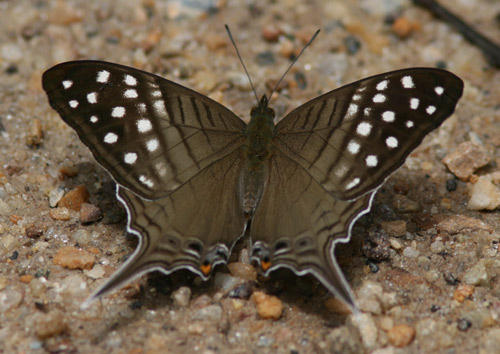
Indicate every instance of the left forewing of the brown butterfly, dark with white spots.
{"type": "Point", "coordinates": [151, 134]}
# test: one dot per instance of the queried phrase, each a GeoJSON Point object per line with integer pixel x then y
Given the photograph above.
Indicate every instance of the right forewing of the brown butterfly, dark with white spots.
{"type": "Point", "coordinates": [352, 138]}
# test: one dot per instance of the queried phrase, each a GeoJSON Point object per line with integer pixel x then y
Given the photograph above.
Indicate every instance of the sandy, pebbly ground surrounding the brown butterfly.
{"type": "Point", "coordinates": [424, 266]}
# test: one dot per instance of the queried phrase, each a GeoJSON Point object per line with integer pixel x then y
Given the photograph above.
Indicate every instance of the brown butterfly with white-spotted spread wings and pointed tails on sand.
{"type": "Point", "coordinates": [194, 178]}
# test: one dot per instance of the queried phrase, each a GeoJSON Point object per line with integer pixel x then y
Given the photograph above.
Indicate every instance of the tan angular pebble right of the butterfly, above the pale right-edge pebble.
{"type": "Point", "coordinates": [467, 158]}
